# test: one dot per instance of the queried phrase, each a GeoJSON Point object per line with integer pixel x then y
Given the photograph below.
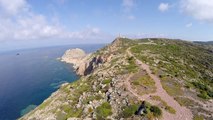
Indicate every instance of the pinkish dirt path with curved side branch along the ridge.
{"type": "Point", "coordinates": [182, 113]}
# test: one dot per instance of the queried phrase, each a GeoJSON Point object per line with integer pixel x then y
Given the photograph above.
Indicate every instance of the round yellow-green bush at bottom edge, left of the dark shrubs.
{"type": "Point", "coordinates": [103, 110]}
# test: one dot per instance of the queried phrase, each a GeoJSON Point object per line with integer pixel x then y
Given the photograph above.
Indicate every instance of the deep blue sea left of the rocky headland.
{"type": "Point", "coordinates": [27, 79]}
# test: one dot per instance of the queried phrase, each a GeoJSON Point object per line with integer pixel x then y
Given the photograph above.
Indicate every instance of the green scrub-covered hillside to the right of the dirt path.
{"type": "Point", "coordinates": [185, 69]}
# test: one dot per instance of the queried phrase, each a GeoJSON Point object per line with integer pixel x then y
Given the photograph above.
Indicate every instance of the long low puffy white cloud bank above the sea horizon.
{"type": "Point", "coordinates": [37, 27]}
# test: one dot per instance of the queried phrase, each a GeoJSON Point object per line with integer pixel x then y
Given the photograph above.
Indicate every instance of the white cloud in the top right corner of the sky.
{"type": "Point", "coordinates": [199, 9]}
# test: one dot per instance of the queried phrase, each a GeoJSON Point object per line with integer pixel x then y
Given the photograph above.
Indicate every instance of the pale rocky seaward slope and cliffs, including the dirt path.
{"type": "Point", "coordinates": [114, 85]}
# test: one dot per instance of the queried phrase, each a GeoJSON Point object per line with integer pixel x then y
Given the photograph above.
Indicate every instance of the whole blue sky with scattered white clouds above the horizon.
{"type": "Point", "coordinates": [37, 23]}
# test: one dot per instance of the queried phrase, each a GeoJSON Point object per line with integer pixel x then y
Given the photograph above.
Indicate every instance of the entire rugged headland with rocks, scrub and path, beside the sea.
{"type": "Point", "coordinates": [135, 79]}
